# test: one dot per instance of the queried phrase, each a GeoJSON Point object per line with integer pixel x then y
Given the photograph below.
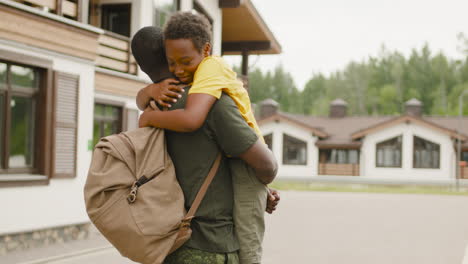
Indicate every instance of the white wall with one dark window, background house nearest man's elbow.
{"type": "Point", "coordinates": [292, 171]}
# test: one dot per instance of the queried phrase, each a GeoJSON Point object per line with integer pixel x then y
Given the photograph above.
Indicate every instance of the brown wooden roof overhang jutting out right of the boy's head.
{"type": "Point", "coordinates": [244, 30]}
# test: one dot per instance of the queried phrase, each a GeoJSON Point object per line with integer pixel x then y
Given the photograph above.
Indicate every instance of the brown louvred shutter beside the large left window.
{"type": "Point", "coordinates": [65, 125]}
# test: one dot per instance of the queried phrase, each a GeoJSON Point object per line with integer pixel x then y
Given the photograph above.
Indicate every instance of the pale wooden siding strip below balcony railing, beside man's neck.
{"type": "Point", "coordinates": [117, 85]}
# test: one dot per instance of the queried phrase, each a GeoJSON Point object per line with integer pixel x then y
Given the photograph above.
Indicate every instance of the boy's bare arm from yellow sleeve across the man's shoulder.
{"type": "Point", "coordinates": [188, 119]}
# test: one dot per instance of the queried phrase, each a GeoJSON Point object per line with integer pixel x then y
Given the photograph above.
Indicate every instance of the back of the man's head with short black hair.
{"type": "Point", "coordinates": [148, 50]}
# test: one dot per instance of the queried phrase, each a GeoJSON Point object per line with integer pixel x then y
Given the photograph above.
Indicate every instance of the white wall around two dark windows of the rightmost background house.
{"type": "Point", "coordinates": [447, 153]}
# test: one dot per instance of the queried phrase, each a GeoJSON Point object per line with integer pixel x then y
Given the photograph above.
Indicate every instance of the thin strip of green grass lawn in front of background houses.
{"type": "Point", "coordinates": [328, 187]}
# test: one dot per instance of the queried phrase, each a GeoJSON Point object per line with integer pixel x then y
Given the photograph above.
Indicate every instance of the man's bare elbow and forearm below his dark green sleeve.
{"type": "Point", "coordinates": [262, 160]}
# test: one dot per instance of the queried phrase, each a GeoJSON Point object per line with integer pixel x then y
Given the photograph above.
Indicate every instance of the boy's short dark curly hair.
{"type": "Point", "coordinates": [187, 25]}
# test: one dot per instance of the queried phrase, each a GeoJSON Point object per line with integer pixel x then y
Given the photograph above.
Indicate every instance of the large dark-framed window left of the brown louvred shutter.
{"type": "Point", "coordinates": [19, 112]}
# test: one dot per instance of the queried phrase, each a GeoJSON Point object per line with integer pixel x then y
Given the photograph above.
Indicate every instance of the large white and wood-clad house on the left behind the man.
{"type": "Point", "coordinates": [67, 78]}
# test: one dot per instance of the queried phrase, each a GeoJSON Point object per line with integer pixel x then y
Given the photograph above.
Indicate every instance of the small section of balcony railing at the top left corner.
{"type": "Point", "coordinates": [60, 7]}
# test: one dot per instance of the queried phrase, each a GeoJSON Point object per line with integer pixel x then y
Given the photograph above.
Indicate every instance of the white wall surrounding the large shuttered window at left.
{"type": "Point", "coordinates": [61, 202]}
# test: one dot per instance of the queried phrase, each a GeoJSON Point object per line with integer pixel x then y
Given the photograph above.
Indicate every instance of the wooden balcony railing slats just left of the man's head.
{"type": "Point", "coordinates": [114, 53]}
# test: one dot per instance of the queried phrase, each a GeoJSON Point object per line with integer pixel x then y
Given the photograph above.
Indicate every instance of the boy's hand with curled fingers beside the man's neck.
{"type": "Point", "coordinates": [165, 92]}
